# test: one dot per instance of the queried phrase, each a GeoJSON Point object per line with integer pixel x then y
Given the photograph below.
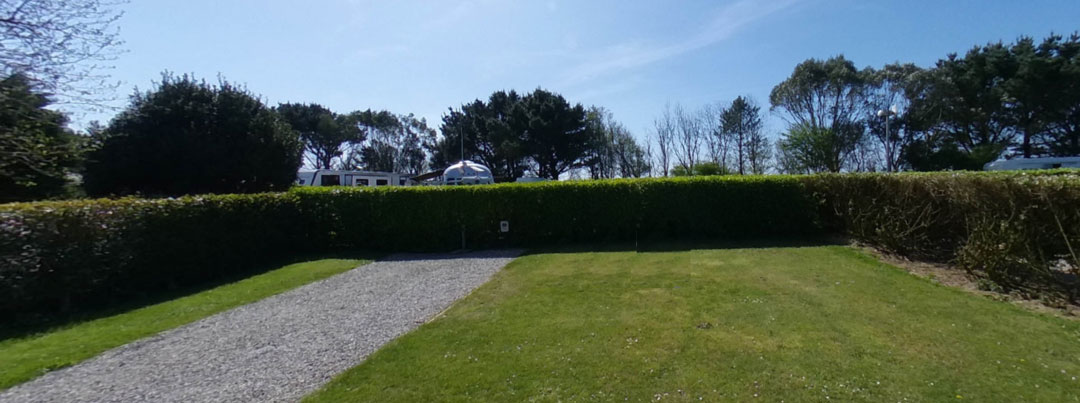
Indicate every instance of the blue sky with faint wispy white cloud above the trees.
{"type": "Point", "coordinates": [629, 57]}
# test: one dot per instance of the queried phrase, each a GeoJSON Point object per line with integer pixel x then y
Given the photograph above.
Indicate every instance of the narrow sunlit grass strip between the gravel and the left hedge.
{"type": "Point", "coordinates": [29, 357]}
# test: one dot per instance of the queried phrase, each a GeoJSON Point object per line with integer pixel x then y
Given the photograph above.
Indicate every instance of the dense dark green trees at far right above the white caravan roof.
{"type": "Point", "coordinates": [1019, 99]}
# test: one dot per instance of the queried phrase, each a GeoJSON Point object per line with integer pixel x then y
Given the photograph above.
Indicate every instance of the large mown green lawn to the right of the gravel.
{"type": "Point", "coordinates": [788, 325]}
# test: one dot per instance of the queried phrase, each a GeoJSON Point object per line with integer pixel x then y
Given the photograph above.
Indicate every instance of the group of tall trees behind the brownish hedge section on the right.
{"type": "Point", "coordinates": [997, 101]}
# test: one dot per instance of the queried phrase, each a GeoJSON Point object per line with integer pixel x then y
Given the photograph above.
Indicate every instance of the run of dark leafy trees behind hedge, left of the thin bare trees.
{"type": "Point", "coordinates": [188, 137]}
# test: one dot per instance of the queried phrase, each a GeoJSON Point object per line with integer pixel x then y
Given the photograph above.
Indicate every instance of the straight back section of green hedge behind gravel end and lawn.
{"type": "Point", "coordinates": [547, 213]}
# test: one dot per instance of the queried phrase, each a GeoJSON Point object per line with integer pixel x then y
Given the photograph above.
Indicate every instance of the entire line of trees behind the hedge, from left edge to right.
{"type": "Point", "coordinates": [188, 137]}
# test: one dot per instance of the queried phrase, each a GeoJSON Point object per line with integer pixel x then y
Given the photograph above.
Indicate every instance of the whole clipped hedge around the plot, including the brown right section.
{"type": "Point", "coordinates": [1015, 227]}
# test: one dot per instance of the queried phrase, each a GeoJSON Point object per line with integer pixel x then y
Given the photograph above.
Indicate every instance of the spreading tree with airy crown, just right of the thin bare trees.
{"type": "Point", "coordinates": [823, 99]}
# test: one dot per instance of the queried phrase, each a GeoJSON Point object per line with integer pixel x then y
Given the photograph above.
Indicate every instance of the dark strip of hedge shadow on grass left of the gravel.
{"type": "Point", "coordinates": [31, 324]}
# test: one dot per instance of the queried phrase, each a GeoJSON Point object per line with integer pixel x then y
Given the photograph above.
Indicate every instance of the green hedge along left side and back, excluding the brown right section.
{"type": "Point", "coordinates": [53, 254]}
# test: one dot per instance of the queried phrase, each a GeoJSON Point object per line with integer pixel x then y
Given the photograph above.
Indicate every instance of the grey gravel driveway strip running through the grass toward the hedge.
{"type": "Point", "coordinates": [277, 350]}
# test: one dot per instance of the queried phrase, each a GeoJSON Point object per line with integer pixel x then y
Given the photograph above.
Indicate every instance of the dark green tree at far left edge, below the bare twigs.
{"type": "Point", "coordinates": [37, 151]}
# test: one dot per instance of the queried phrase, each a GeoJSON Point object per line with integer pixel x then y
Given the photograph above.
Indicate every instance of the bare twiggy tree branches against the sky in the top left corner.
{"type": "Point", "coordinates": [62, 47]}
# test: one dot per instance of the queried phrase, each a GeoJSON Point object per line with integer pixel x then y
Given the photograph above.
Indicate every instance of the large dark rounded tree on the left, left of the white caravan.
{"type": "Point", "coordinates": [188, 138]}
